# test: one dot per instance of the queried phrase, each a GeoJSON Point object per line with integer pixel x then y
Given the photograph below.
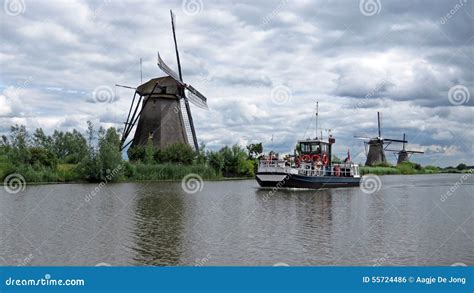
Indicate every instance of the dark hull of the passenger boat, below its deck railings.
{"type": "Point", "coordinates": [284, 180]}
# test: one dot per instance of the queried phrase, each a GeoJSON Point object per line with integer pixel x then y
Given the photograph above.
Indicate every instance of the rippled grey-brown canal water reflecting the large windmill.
{"type": "Point", "coordinates": [403, 220]}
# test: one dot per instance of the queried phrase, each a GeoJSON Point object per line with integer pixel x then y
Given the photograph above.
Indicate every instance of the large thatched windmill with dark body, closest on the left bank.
{"type": "Point", "coordinates": [161, 108]}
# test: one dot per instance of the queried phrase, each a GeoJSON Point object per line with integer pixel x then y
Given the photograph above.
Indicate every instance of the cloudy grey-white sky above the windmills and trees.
{"type": "Point", "coordinates": [261, 65]}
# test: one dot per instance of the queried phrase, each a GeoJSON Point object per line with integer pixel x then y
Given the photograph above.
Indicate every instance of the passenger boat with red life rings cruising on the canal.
{"type": "Point", "coordinates": [310, 166]}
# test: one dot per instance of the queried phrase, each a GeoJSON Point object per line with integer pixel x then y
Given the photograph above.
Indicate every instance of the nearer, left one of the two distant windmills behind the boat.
{"type": "Point", "coordinates": [376, 146]}
